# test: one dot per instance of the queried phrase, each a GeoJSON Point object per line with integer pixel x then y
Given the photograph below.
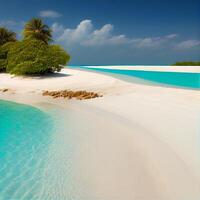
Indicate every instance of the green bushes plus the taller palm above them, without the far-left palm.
{"type": "Point", "coordinates": [34, 54]}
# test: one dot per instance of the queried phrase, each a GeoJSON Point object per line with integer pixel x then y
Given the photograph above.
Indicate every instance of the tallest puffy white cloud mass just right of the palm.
{"type": "Point", "coordinates": [85, 34]}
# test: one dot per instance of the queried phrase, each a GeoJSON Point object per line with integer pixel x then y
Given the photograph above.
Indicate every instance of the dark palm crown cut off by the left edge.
{"type": "Point", "coordinates": [6, 36]}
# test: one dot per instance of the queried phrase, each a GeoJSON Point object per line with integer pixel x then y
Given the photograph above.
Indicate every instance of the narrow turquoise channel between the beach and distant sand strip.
{"type": "Point", "coordinates": [177, 79]}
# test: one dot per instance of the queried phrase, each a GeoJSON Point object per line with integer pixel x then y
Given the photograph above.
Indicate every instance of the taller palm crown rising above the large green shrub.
{"type": "Point", "coordinates": [36, 29]}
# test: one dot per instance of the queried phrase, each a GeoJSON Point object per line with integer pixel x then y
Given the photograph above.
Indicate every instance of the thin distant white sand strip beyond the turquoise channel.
{"type": "Point", "coordinates": [188, 69]}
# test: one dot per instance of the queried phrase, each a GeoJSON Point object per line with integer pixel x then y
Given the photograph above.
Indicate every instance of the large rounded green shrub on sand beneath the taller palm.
{"type": "Point", "coordinates": [35, 57]}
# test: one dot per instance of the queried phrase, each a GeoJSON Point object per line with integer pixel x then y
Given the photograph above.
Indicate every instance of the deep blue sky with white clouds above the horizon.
{"type": "Point", "coordinates": [115, 32]}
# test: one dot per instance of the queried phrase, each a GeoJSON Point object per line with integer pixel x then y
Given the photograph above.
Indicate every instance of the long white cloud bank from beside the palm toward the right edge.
{"type": "Point", "coordinates": [86, 35]}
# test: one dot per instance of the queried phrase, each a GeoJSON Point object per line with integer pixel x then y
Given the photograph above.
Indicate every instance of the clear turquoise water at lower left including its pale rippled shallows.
{"type": "Point", "coordinates": [37, 153]}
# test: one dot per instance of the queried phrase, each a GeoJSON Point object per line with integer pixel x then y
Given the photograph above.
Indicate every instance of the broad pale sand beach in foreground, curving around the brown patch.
{"type": "Point", "coordinates": [137, 142]}
